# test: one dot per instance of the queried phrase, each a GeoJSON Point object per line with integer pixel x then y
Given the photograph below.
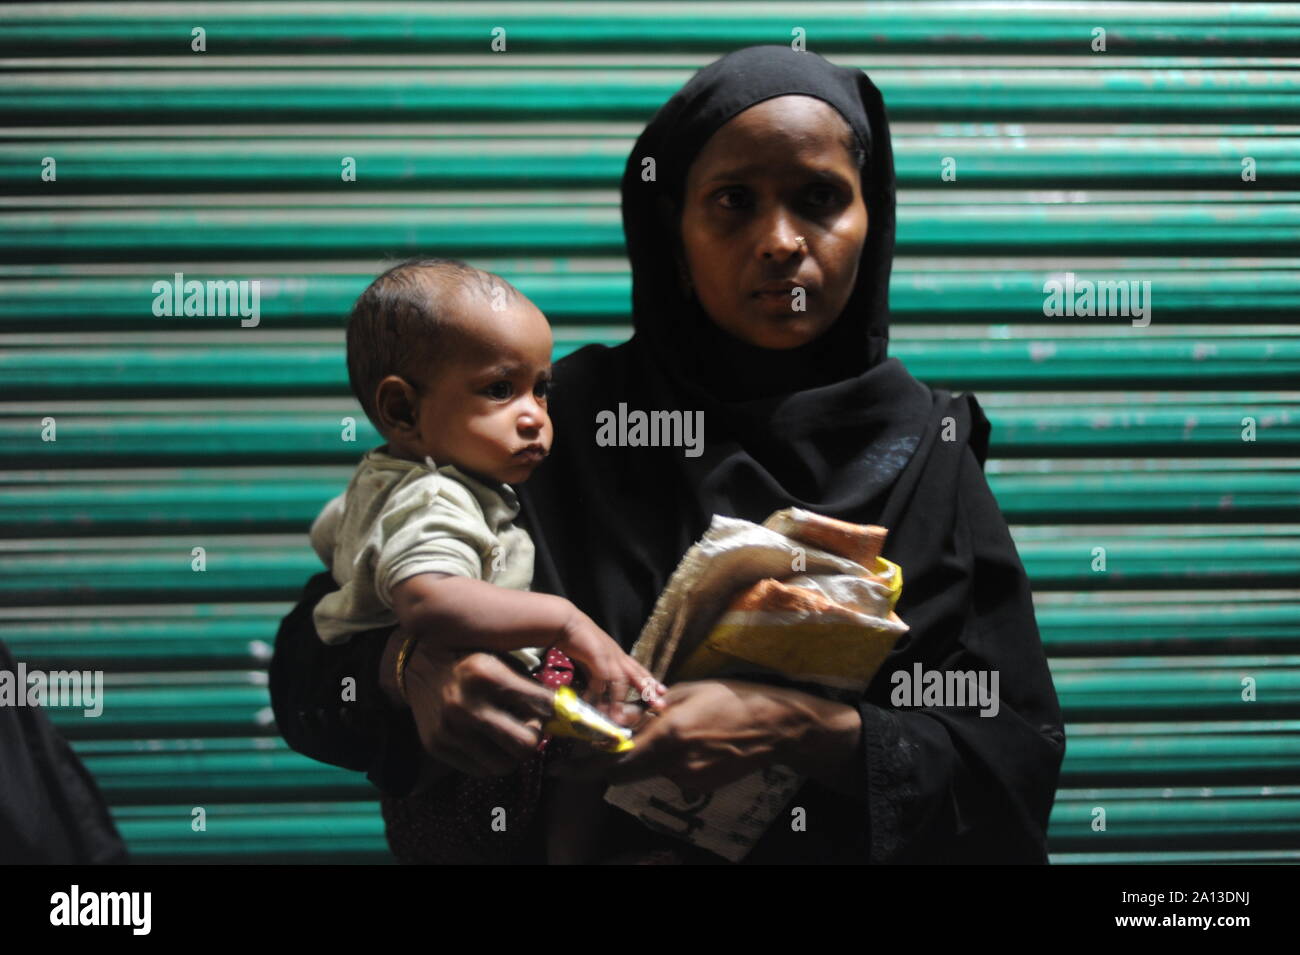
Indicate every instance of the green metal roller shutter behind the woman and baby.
{"type": "Point", "coordinates": [1172, 158]}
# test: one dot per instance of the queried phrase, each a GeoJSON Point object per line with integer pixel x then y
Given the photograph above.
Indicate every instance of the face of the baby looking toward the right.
{"type": "Point", "coordinates": [486, 411]}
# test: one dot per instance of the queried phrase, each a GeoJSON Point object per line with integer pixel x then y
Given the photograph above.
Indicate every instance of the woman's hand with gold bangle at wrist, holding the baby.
{"type": "Point", "coordinates": [474, 713]}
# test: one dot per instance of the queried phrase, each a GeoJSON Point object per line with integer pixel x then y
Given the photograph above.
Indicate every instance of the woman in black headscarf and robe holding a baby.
{"type": "Point", "coordinates": [760, 218]}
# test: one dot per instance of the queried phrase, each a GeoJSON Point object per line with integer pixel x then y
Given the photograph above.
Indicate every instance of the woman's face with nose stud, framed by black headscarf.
{"type": "Point", "coordinates": [774, 175]}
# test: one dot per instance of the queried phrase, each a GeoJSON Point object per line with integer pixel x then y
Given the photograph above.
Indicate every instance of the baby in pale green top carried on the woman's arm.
{"type": "Point", "coordinates": [452, 366]}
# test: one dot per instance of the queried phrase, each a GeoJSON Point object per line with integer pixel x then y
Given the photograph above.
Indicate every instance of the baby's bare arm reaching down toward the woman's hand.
{"type": "Point", "coordinates": [467, 614]}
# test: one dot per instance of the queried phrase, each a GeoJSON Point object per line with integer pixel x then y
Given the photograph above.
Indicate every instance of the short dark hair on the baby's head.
{"type": "Point", "coordinates": [406, 323]}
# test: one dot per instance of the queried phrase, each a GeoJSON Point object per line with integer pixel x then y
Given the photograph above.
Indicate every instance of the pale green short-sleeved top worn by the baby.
{"type": "Point", "coordinates": [398, 519]}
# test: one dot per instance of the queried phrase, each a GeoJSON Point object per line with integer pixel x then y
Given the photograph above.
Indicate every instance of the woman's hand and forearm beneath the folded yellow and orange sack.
{"type": "Point", "coordinates": [714, 732]}
